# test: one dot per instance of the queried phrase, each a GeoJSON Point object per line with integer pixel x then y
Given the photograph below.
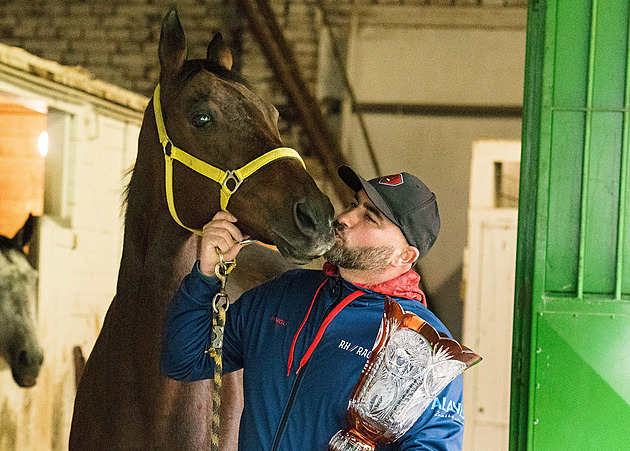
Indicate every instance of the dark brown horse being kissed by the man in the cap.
{"type": "Point", "coordinates": [122, 401]}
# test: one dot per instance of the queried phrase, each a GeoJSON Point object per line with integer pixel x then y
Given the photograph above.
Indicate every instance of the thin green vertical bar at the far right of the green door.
{"type": "Point", "coordinates": [623, 177]}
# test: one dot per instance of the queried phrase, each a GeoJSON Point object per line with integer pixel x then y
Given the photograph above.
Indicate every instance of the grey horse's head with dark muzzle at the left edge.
{"type": "Point", "coordinates": [19, 345]}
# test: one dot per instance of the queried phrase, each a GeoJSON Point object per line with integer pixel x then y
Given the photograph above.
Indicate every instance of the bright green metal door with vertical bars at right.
{"type": "Point", "coordinates": [571, 350]}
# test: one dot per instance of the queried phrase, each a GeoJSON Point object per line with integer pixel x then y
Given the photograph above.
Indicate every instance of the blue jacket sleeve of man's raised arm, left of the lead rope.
{"type": "Point", "coordinates": [187, 328]}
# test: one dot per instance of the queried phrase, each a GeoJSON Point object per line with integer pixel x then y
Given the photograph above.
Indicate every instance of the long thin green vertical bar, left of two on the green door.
{"type": "Point", "coordinates": [586, 157]}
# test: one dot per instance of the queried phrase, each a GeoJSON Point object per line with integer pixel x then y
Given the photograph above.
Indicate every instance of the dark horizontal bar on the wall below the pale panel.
{"type": "Point", "coordinates": [440, 110]}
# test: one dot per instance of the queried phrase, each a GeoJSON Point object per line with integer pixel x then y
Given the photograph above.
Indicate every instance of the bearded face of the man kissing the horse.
{"type": "Point", "coordinates": [364, 238]}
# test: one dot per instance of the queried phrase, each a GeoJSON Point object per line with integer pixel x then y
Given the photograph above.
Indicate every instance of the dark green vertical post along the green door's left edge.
{"type": "Point", "coordinates": [523, 384]}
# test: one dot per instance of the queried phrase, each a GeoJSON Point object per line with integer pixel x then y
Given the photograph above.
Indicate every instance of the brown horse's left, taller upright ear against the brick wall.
{"type": "Point", "coordinates": [172, 47]}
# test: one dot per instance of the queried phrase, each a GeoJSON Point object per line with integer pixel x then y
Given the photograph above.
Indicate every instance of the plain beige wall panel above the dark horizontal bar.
{"type": "Point", "coordinates": [440, 66]}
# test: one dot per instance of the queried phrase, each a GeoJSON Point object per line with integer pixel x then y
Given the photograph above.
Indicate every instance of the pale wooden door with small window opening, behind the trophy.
{"type": "Point", "coordinates": [489, 292]}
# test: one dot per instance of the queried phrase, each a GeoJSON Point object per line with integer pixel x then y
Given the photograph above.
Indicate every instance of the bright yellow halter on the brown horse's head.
{"type": "Point", "coordinates": [233, 177]}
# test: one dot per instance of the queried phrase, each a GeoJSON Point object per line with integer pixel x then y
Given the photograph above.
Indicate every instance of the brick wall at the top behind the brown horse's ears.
{"type": "Point", "coordinates": [117, 40]}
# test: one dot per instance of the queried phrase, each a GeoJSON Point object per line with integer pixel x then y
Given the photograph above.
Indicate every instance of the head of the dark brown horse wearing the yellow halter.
{"type": "Point", "coordinates": [211, 114]}
